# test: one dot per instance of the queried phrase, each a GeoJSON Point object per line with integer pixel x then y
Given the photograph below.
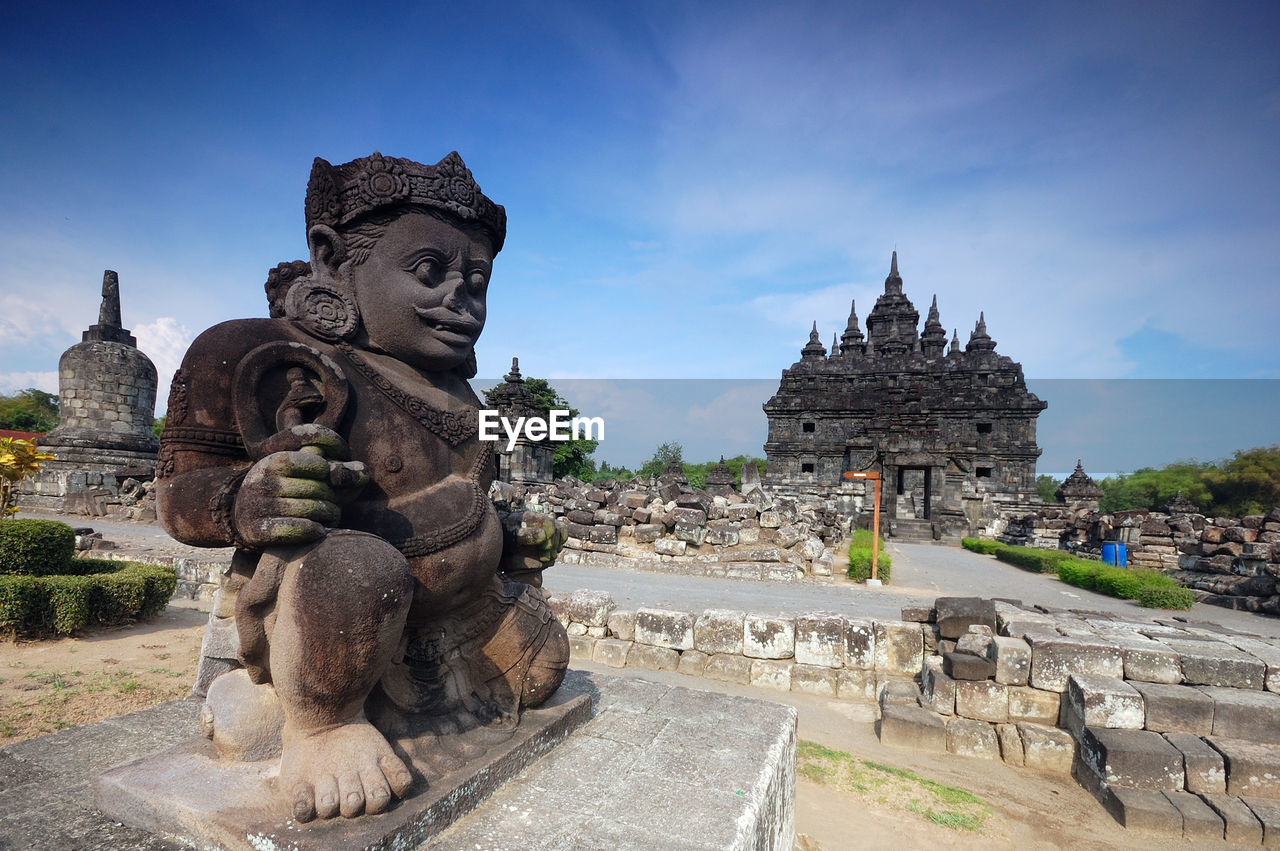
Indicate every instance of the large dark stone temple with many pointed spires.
{"type": "Point", "coordinates": [952, 431]}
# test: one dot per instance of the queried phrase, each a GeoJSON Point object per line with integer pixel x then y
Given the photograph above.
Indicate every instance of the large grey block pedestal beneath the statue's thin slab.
{"type": "Point", "coordinates": [657, 767]}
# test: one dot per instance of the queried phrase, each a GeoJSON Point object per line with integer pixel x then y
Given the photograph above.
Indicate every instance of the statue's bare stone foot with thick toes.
{"type": "Point", "coordinates": [349, 770]}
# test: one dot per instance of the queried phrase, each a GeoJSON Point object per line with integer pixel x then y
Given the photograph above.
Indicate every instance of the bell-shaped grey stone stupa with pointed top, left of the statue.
{"type": "Point", "coordinates": [107, 400]}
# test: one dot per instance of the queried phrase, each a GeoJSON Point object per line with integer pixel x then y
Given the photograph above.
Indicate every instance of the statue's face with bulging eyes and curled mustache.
{"type": "Point", "coordinates": [422, 291]}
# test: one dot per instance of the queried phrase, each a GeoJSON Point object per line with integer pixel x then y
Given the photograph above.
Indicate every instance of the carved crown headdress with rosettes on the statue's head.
{"type": "Point", "coordinates": [339, 195]}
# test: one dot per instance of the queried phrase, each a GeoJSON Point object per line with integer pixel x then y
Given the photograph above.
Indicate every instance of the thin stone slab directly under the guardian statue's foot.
{"type": "Point", "coordinates": [188, 794]}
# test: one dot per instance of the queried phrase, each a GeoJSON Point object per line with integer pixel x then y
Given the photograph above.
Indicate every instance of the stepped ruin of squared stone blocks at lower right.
{"type": "Point", "coordinates": [1173, 726]}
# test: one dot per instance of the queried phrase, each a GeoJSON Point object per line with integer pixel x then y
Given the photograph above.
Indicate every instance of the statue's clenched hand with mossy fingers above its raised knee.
{"type": "Point", "coordinates": [286, 500]}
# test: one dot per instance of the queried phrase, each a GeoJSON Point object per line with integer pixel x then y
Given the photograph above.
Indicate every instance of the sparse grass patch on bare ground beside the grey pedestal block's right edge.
{"type": "Point", "coordinates": [944, 806]}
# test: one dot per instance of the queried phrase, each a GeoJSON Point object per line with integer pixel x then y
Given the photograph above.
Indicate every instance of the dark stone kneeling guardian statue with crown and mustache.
{"type": "Point", "coordinates": [336, 447]}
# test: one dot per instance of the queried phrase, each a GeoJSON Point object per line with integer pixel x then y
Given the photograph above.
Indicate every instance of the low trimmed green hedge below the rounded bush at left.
{"type": "Point", "coordinates": [100, 593]}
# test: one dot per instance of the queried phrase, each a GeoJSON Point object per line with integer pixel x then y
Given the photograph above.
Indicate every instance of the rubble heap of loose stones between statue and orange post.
{"type": "Point", "coordinates": [666, 525]}
